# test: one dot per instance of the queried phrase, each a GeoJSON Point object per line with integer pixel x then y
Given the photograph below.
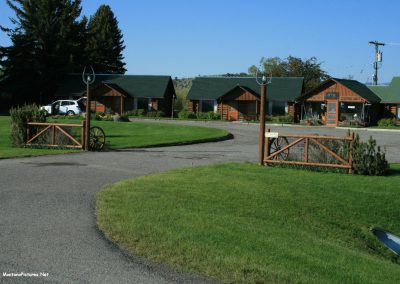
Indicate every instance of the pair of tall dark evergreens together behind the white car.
{"type": "Point", "coordinates": [49, 39]}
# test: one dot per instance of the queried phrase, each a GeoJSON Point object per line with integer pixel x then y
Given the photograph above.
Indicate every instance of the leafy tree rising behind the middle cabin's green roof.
{"type": "Point", "coordinates": [292, 66]}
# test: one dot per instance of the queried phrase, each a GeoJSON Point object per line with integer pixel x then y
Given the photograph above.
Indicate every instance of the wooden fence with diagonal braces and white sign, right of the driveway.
{"type": "Point", "coordinates": [279, 150]}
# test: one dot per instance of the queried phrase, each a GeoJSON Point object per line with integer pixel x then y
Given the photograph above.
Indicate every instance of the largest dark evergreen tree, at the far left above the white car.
{"type": "Point", "coordinates": [47, 42]}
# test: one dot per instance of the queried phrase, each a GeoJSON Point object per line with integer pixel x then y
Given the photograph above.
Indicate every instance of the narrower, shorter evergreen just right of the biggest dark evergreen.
{"type": "Point", "coordinates": [105, 42]}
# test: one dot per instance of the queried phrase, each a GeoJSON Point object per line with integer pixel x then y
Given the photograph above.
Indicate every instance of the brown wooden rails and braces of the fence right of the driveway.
{"type": "Point", "coordinates": [341, 163]}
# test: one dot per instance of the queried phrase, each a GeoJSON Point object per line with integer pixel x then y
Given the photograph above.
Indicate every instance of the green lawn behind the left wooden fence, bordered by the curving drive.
{"type": "Point", "coordinates": [119, 135]}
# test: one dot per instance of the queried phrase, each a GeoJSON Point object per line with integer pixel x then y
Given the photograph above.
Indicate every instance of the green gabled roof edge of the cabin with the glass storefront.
{"type": "Point", "coordinates": [357, 87]}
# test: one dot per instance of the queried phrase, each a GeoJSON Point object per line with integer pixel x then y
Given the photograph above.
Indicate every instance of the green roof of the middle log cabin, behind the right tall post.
{"type": "Point", "coordinates": [211, 88]}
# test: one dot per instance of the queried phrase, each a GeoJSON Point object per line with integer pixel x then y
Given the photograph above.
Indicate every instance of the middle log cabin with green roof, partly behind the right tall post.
{"type": "Point", "coordinates": [238, 98]}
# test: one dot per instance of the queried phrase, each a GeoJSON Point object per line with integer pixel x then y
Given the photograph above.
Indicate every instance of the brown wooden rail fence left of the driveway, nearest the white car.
{"type": "Point", "coordinates": [54, 127]}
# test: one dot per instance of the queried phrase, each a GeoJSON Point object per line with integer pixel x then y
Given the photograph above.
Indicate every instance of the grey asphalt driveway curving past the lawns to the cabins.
{"type": "Point", "coordinates": [47, 215]}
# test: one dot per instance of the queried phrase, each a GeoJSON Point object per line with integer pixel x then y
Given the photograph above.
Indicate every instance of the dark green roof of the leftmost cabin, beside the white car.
{"type": "Point", "coordinates": [133, 85]}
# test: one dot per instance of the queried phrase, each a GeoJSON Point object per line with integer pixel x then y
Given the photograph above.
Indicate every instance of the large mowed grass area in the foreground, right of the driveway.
{"type": "Point", "coordinates": [243, 223]}
